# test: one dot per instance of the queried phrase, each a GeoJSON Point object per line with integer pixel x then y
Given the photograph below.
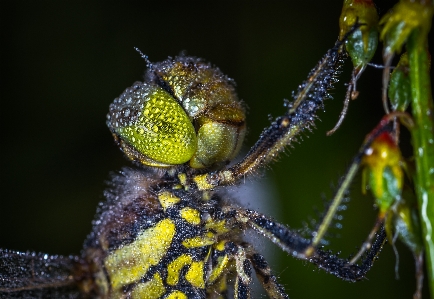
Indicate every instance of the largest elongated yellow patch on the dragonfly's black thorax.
{"type": "Point", "coordinates": [130, 262]}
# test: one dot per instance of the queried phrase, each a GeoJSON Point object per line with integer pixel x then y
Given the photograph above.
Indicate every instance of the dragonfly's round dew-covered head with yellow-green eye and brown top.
{"type": "Point", "coordinates": [185, 111]}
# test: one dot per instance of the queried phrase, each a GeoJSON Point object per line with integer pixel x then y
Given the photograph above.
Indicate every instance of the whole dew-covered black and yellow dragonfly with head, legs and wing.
{"type": "Point", "coordinates": [168, 228]}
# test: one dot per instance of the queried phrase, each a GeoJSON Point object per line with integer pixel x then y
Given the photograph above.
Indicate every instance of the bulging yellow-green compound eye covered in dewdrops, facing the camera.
{"type": "Point", "coordinates": [152, 126]}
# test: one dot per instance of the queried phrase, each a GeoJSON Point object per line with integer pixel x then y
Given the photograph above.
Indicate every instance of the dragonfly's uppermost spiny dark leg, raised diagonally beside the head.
{"type": "Point", "coordinates": [300, 116]}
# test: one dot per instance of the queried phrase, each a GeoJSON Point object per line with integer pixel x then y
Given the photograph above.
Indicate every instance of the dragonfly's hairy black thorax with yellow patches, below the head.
{"type": "Point", "coordinates": [165, 242]}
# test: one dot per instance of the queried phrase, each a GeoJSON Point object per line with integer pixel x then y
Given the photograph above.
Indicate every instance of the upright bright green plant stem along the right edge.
{"type": "Point", "coordinates": [423, 142]}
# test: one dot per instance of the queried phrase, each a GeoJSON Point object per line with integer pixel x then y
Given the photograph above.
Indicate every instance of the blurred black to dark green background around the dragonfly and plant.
{"type": "Point", "coordinates": [63, 64]}
